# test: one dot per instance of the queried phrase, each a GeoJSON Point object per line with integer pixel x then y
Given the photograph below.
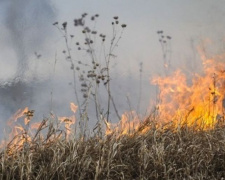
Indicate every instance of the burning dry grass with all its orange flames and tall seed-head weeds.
{"type": "Point", "coordinates": [183, 139]}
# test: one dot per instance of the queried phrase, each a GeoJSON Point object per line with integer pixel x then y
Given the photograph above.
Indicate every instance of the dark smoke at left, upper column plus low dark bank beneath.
{"type": "Point", "coordinates": [28, 25]}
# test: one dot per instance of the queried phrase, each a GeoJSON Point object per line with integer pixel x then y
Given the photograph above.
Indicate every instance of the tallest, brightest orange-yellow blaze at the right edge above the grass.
{"type": "Point", "coordinates": [199, 103]}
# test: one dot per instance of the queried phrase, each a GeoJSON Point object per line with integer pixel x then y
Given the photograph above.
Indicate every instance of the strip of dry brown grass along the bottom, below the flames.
{"type": "Point", "coordinates": [160, 153]}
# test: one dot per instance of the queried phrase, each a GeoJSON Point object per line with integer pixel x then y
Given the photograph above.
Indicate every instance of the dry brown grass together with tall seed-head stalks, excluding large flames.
{"type": "Point", "coordinates": [160, 153]}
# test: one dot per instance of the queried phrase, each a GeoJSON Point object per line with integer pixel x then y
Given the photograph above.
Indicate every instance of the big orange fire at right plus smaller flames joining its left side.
{"type": "Point", "coordinates": [198, 102]}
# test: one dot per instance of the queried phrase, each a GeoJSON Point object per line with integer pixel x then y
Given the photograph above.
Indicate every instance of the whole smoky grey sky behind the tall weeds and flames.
{"type": "Point", "coordinates": [26, 28]}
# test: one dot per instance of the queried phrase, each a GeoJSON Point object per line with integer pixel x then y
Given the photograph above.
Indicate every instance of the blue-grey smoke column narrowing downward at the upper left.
{"type": "Point", "coordinates": [27, 23]}
